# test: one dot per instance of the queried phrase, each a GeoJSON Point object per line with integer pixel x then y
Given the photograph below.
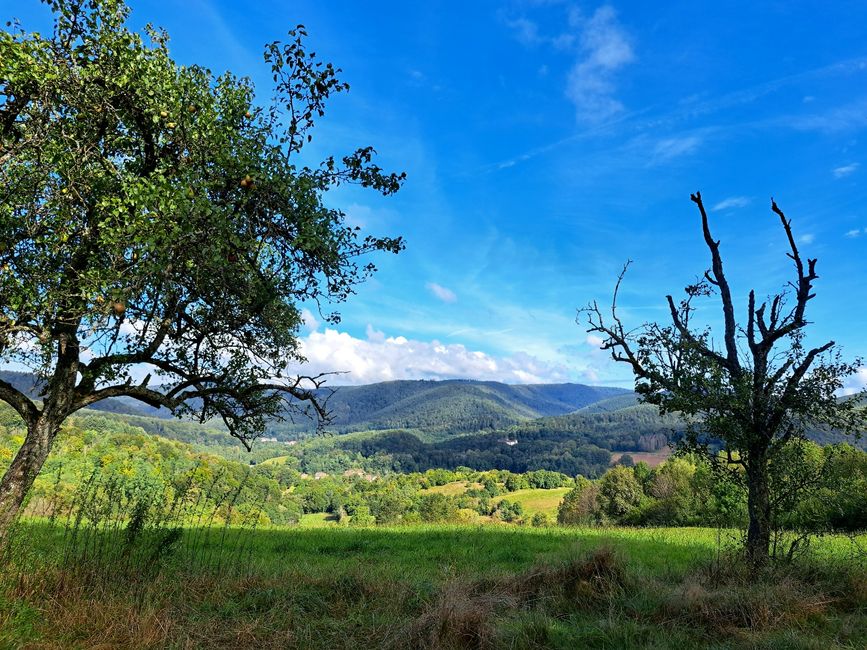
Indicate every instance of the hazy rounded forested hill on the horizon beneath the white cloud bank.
{"type": "Point", "coordinates": [456, 406]}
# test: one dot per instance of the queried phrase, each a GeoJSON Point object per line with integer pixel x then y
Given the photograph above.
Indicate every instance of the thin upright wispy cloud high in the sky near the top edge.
{"type": "Point", "coordinates": [605, 48]}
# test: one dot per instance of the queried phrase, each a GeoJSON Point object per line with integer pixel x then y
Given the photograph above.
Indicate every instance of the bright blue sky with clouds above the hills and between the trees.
{"type": "Point", "coordinates": [547, 142]}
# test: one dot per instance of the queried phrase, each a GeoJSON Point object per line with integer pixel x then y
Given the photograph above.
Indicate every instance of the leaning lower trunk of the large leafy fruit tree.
{"type": "Point", "coordinates": [17, 481]}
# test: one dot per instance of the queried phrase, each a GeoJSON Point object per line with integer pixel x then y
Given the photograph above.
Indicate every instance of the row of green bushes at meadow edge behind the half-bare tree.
{"type": "Point", "coordinates": [816, 490]}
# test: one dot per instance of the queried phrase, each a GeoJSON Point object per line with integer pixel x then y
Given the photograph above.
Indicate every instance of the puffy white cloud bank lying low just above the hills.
{"type": "Point", "coordinates": [385, 358]}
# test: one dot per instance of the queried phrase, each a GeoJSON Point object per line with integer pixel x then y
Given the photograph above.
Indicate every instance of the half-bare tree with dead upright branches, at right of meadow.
{"type": "Point", "coordinates": [749, 397]}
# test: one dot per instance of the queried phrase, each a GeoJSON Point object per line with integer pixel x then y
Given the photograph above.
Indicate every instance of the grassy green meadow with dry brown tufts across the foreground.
{"type": "Point", "coordinates": [434, 587]}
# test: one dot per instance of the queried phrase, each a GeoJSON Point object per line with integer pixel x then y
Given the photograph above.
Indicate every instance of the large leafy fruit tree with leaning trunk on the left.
{"type": "Point", "coordinates": [151, 214]}
